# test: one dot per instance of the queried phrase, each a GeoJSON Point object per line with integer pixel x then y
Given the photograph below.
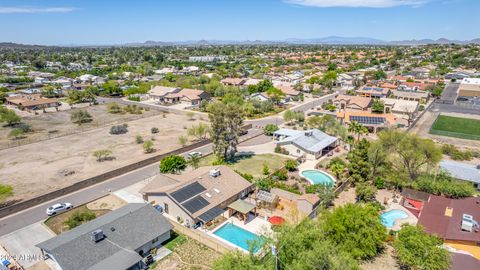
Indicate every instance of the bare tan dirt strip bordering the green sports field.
{"type": "Point", "coordinates": [424, 124]}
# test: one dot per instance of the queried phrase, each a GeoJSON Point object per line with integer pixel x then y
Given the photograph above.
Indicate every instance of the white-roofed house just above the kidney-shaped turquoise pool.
{"type": "Point", "coordinates": [311, 144]}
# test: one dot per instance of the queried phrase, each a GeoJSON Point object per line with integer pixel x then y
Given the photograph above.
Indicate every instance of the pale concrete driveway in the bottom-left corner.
{"type": "Point", "coordinates": [21, 243]}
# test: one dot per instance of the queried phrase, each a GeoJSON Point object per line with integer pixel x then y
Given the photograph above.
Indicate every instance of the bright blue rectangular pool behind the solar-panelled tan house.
{"type": "Point", "coordinates": [237, 236]}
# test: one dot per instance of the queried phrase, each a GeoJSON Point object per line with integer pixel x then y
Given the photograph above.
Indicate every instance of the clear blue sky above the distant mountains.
{"type": "Point", "coordinates": [107, 22]}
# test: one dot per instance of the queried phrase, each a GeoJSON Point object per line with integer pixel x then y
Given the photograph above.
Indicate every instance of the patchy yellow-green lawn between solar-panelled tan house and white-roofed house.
{"type": "Point", "coordinates": [252, 165]}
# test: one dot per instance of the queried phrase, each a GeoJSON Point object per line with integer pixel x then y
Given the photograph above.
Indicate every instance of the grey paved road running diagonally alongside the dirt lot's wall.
{"type": "Point", "coordinates": [29, 216]}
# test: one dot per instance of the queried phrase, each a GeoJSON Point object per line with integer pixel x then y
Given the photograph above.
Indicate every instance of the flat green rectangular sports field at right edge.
{"type": "Point", "coordinates": [457, 127]}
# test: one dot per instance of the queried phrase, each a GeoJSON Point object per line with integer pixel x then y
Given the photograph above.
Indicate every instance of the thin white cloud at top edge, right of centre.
{"type": "Point", "coordinates": [358, 3]}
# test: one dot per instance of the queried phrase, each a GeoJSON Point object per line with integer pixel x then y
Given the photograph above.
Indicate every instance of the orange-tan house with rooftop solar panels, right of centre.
{"type": "Point", "coordinates": [374, 122]}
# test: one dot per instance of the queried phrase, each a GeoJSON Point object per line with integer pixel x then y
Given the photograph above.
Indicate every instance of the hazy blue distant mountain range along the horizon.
{"type": "Point", "coordinates": [331, 40]}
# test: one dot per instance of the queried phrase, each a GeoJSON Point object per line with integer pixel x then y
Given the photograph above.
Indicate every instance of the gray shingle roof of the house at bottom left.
{"type": "Point", "coordinates": [134, 225]}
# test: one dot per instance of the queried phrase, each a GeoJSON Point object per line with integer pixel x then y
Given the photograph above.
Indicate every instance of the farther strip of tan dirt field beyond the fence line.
{"type": "Point", "coordinates": [56, 124]}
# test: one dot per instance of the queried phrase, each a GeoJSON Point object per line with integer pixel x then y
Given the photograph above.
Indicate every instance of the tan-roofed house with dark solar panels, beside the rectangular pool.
{"type": "Point", "coordinates": [199, 196]}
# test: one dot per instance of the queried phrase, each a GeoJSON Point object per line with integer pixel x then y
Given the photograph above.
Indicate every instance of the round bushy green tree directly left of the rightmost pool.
{"type": "Point", "coordinates": [356, 229]}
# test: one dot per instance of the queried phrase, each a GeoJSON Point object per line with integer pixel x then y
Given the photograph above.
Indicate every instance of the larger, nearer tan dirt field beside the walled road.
{"type": "Point", "coordinates": [40, 167]}
